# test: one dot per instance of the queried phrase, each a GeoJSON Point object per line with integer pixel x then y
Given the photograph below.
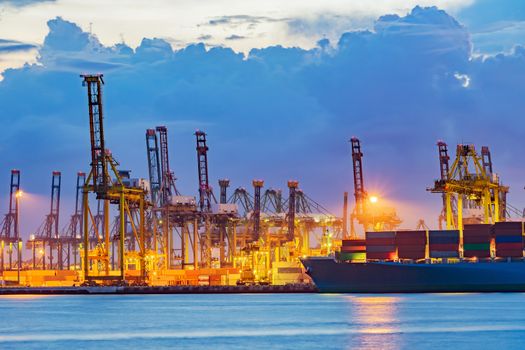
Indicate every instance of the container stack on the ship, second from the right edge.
{"type": "Point", "coordinates": [476, 240]}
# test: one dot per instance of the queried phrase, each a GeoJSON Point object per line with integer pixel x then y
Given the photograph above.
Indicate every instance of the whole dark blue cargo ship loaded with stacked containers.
{"type": "Point", "coordinates": [481, 258]}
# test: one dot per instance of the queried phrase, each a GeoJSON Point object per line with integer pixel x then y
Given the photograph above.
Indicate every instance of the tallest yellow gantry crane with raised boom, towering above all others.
{"type": "Point", "coordinates": [104, 180]}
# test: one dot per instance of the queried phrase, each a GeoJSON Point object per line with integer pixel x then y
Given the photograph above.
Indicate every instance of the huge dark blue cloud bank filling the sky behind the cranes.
{"type": "Point", "coordinates": [278, 112]}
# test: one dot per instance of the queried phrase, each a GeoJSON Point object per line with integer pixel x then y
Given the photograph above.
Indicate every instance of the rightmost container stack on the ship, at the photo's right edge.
{"type": "Point", "coordinates": [509, 239]}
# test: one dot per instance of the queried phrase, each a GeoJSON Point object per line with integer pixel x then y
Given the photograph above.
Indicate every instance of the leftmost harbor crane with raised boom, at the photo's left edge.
{"type": "Point", "coordinates": [10, 232]}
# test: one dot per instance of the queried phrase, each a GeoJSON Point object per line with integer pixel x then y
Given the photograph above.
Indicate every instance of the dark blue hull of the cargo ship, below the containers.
{"type": "Point", "coordinates": [331, 276]}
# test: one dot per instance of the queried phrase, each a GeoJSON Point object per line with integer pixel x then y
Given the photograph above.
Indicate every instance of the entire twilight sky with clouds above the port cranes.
{"type": "Point", "coordinates": [278, 88]}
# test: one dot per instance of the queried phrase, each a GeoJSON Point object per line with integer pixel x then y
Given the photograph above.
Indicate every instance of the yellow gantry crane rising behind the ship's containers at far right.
{"type": "Point", "coordinates": [471, 184]}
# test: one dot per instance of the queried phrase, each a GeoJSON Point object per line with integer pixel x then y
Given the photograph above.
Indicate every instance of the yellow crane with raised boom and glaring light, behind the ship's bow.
{"type": "Point", "coordinates": [368, 213]}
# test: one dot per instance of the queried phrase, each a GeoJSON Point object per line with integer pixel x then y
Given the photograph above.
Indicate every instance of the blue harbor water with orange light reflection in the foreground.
{"type": "Point", "coordinates": [264, 321]}
